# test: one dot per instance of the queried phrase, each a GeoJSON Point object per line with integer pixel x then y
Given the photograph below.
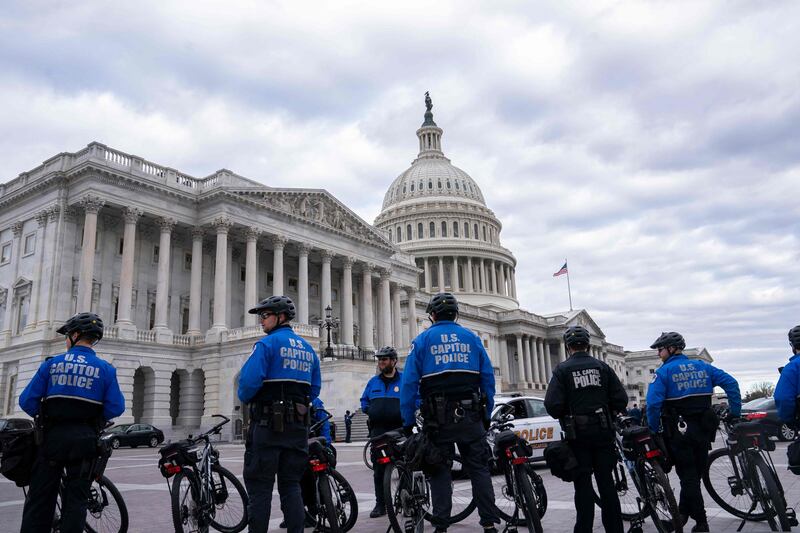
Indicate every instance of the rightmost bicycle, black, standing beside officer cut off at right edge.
{"type": "Point", "coordinates": [744, 470]}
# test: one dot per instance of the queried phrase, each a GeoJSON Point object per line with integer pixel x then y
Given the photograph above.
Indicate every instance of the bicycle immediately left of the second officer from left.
{"type": "Point", "coordinates": [199, 491]}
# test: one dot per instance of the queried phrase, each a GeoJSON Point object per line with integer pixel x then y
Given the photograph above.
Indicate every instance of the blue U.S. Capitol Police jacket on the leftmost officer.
{"type": "Point", "coordinates": [77, 375]}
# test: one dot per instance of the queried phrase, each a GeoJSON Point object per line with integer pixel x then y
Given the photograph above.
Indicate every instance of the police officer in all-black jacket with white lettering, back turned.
{"type": "Point", "coordinates": [584, 393]}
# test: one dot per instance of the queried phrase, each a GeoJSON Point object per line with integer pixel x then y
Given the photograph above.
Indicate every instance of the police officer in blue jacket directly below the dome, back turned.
{"type": "Point", "coordinates": [450, 372]}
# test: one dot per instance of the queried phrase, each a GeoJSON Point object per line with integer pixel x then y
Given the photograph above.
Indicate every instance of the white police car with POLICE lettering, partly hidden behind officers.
{"type": "Point", "coordinates": [531, 421]}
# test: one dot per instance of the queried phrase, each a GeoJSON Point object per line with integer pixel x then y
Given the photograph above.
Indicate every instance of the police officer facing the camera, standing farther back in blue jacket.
{"type": "Point", "coordinates": [381, 402]}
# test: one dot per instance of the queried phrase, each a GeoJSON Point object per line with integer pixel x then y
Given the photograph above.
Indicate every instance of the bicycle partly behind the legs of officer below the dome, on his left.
{"type": "Point", "coordinates": [406, 488]}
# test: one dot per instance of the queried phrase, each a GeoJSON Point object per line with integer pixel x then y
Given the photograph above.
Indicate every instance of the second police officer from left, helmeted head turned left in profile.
{"type": "Point", "coordinates": [279, 380]}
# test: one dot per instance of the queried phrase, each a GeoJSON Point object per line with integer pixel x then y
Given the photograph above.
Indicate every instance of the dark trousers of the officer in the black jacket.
{"type": "Point", "coordinates": [600, 460]}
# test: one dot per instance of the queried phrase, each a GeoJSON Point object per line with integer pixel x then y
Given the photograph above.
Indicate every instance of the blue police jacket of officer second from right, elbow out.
{"type": "Point", "coordinates": [680, 378]}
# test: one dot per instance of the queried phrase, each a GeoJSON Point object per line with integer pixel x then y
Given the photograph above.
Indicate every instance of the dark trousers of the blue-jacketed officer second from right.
{"type": "Point", "coordinates": [690, 457]}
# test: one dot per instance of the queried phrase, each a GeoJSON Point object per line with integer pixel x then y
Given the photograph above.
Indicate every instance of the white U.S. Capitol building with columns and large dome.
{"type": "Point", "coordinates": [172, 262]}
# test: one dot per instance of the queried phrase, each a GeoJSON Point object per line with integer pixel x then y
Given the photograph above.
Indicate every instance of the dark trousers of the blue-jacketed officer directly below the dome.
{"type": "Point", "coordinates": [470, 437]}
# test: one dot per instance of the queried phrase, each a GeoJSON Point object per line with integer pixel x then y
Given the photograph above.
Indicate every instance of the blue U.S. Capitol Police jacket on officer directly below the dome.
{"type": "Point", "coordinates": [449, 350]}
